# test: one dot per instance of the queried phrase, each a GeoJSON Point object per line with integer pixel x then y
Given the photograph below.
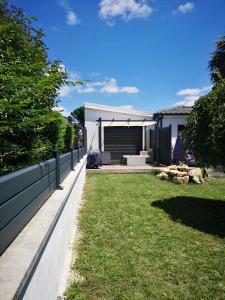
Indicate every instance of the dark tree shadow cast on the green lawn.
{"type": "Point", "coordinates": [206, 215]}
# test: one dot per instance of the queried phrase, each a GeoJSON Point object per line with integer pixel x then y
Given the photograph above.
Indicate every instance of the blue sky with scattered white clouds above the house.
{"type": "Point", "coordinates": [144, 54]}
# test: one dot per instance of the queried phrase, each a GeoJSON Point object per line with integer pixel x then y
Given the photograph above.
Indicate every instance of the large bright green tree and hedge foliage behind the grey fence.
{"type": "Point", "coordinates": [29, 85]}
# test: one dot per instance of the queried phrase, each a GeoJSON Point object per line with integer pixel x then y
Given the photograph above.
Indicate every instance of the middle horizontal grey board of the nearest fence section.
{"type": "Point", "coordinates": [12, 207]}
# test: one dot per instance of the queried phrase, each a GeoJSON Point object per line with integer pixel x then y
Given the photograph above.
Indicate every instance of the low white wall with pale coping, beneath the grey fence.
{"type": "Point", "coordinates": [36, 264]}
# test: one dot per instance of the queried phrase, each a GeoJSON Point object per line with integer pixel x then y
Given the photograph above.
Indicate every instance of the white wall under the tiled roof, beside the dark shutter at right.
{"type": "Point", "coordinates": [174, 121]}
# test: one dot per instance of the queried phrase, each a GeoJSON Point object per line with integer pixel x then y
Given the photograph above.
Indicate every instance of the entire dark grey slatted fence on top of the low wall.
{"type": "Point", "coordinates": [23, 192]}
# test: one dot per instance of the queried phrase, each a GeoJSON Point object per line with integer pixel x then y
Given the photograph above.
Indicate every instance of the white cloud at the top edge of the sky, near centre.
{"type": "Point", "coordinates": [125, 9]}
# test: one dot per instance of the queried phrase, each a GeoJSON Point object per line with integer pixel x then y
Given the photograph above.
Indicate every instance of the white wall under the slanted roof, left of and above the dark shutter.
{"type": "Point", "coordinates": [91, 124]}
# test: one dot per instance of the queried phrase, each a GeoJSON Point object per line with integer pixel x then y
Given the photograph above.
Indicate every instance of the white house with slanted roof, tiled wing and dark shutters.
{"type": "Point", "coordinates": [118, 131]}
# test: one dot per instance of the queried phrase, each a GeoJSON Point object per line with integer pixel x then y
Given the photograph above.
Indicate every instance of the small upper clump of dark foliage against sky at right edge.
{"type": "Point", "coordinates": [217, 62]}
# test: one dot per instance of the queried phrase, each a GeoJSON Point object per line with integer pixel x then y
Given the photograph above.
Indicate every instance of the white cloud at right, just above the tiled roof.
{"type": "Point", "coordinates": [191, 95]}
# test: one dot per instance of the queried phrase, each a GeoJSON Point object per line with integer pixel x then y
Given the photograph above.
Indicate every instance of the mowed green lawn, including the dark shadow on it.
{"type": "Point", "coordinates": [142, 238]}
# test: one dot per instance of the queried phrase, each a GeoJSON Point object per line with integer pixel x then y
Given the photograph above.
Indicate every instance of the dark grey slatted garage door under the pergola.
{"type": "Point", "coordinates": [121, 140]}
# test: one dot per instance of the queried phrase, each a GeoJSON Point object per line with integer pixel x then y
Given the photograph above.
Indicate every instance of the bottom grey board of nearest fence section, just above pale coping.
{"type": "Point", "coordinates": [9, 232]}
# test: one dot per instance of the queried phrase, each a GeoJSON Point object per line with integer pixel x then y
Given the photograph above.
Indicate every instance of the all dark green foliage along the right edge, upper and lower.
{"type": "Point", "coordinates": [205, 133]}
